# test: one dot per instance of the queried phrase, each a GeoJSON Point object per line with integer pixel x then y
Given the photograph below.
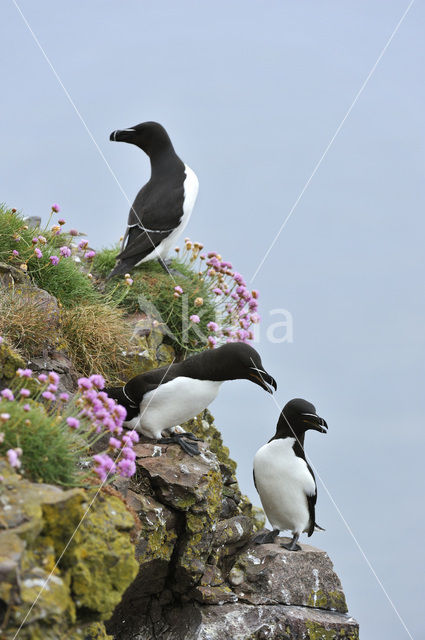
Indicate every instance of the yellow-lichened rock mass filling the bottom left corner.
{"type": "Point", "coordinates": [65, 556]}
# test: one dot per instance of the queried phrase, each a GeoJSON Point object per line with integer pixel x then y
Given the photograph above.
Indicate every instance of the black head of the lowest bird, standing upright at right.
{"type": "Point", "coordinates": [297, 417]}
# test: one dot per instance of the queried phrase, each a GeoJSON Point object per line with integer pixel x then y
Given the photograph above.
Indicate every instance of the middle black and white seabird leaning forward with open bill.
{"type": "Point", "coordinates": [161, 399]}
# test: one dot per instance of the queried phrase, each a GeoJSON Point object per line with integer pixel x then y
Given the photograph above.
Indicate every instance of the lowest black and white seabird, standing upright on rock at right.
{"type": "Point", "coordinates": [284, 479]}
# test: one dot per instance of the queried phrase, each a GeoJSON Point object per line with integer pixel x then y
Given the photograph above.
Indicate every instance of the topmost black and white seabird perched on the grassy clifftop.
{"type": "Point", "coordinates": [162, 207]}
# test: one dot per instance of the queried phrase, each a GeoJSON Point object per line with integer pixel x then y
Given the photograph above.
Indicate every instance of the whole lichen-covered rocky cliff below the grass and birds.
{"type": "Point", "coordinates": [164, 555]}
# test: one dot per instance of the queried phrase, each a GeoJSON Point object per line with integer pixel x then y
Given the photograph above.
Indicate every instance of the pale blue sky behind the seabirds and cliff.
{"type": "Point", "coordinates": [251, 93]}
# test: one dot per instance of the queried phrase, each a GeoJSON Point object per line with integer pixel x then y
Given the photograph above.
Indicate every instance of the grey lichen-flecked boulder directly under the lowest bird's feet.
{"type": "Point", "coordinates": [270, 574]}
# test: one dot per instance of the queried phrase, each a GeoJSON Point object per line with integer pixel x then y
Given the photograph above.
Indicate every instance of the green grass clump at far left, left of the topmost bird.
{"type": "Point", "coordinates": [66, 281]}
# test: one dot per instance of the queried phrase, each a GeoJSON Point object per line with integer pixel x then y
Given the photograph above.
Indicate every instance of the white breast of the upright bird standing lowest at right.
{"type": "Point", "coordinates": [283, 482]}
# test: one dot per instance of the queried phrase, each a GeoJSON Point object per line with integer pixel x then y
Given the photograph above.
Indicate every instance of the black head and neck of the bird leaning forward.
{"type": "Point", "coordinates": [237, 360]}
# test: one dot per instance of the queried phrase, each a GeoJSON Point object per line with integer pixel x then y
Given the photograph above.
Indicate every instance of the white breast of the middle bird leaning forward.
{"type": "Point", "coordinates": [174, 402]}
